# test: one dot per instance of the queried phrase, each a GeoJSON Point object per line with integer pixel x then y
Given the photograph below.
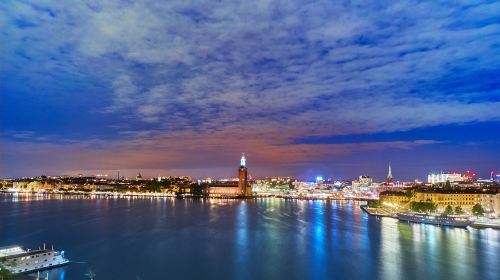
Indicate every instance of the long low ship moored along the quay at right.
{"type": "Point", "coordinates": [440, 220]}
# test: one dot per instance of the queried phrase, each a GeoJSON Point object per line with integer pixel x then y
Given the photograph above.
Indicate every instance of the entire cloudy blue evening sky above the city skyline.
{"type": "Point", "coordinates": [303, 88]}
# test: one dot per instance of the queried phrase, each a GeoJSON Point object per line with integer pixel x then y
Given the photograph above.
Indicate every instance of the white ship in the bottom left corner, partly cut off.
{"type": "Point", "coordinates": [18, 260]}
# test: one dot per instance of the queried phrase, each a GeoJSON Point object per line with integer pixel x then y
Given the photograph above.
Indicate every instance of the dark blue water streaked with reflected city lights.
{"type": "Point", "coordinates": [234, 239]}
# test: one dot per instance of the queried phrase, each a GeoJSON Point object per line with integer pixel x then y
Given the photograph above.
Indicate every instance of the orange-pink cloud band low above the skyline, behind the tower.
{"type": "Point", "coordinates": [181, 150]}
